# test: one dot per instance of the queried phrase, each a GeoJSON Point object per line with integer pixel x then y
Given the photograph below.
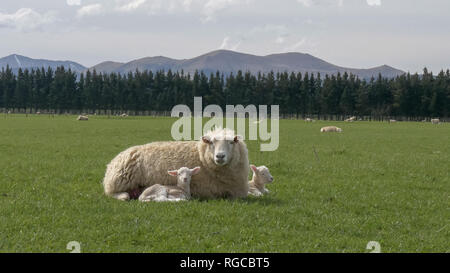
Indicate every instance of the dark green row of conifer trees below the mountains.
{"type": "Point", "coordinates": [61, 90]}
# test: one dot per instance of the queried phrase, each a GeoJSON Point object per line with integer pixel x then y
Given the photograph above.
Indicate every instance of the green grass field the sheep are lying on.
{"type": "Point", "coordinates": [373, 182]}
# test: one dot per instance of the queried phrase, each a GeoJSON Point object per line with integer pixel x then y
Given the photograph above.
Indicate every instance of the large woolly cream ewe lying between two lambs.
{"type": "Point", "coordinates": [222, 156]}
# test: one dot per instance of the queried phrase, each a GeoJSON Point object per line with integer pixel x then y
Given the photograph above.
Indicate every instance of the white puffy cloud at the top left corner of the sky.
{"type": "Point", "coordinates": [25, 19]}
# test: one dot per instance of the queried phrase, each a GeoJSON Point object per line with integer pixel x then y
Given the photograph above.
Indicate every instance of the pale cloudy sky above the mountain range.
{"type": "Point", "coordinates": [406, 34]}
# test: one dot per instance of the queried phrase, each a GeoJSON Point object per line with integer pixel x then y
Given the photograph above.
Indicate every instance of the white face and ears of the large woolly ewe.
{"type": "Point", "coordinates": [221, 147]}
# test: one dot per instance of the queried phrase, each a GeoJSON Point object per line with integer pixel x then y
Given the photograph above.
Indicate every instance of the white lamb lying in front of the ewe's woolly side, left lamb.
{"type": "Point", "coordinates": [180, 192]}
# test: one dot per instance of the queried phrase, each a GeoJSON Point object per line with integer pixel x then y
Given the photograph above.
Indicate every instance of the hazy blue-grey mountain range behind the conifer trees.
{"type": "Point", "coordinates": [224, 61]}
